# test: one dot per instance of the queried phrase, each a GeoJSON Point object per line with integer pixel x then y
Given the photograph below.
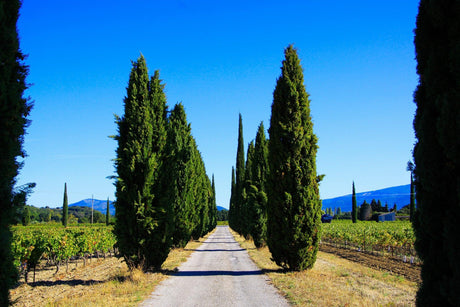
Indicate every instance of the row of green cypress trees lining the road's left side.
{"type": "Point", "coordinates": [164, 196]}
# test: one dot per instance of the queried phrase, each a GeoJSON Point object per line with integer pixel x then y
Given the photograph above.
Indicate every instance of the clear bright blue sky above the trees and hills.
{"type": "Point", "coordinates": [219, 58]}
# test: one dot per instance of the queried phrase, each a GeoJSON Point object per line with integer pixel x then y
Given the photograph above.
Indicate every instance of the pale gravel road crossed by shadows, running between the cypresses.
{"type": "Point", "coordinates": [218, 273]}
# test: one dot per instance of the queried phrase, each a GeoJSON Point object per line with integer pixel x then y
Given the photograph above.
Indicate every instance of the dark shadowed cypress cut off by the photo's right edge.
{"type": "Point", "coordinates": [437, 151]}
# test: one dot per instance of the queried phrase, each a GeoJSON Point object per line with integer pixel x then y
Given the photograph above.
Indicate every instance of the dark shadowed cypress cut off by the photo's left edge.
{"type": "Point", "coordinates": [14, 109]}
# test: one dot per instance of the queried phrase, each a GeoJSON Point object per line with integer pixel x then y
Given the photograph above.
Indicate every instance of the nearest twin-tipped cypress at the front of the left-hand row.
{"type": "Point", "coordinates": [143, 224]}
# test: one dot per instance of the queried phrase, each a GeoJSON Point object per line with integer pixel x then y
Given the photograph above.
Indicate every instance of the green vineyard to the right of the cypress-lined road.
{"type": "Point", "coordinates": [390, 238]}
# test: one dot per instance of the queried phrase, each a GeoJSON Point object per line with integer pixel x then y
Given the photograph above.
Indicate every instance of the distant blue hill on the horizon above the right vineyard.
{"type": "Point", "coordinates": [399, 195]}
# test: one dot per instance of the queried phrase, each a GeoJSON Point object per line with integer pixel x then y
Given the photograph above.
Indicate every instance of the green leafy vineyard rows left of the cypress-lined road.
{"type": "Point", "coordinates": [57, 245]}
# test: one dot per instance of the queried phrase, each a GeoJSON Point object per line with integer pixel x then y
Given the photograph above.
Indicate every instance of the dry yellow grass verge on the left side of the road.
{"type": "Point", "coordinates": [104, 282]}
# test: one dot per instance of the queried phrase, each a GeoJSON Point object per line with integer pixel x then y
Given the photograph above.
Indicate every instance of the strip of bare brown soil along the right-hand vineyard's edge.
{"type": "Point", "coordinates": [392, 265]}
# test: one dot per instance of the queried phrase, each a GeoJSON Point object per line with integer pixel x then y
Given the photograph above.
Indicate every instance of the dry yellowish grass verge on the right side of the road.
{"type": "Point", "coordinates": [334, 281]}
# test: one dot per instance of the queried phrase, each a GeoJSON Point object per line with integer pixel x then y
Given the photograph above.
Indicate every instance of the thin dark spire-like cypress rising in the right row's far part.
{"type": "Point", "coordinates": [239, 180]}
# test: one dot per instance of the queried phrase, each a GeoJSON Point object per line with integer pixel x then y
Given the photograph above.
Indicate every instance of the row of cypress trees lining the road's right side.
{"type": "Point", "coordinates": [275, 194]}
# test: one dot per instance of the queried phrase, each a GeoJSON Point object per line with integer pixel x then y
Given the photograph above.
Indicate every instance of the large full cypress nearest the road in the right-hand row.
{"type": "Point", "coordinates": [294, 206]}
